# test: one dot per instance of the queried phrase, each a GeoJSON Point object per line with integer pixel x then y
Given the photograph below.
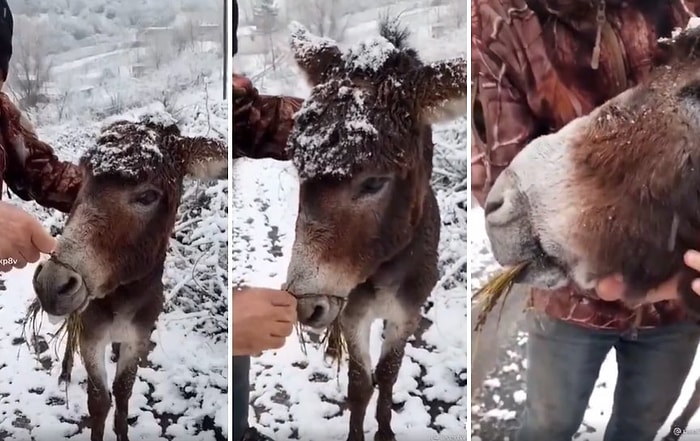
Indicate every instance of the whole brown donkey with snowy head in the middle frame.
{"type": "Point", "coordinates": [368, 222]}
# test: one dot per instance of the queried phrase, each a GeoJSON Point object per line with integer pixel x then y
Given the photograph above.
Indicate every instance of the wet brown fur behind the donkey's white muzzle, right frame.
{"type": "Point", "coordinates": [637, 168]}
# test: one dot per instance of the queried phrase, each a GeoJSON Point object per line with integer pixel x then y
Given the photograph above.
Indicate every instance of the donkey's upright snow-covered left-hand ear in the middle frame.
{"type": "Point", "coordinates": [316, 56]}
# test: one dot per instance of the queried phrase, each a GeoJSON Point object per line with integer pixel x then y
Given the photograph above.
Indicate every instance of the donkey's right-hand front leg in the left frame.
{"type": "Point", "coordinates": [129, 355]}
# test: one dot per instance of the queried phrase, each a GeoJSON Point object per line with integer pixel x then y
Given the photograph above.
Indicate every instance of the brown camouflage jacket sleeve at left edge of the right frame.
{"type": "Point", "coordinates": [502, 123]}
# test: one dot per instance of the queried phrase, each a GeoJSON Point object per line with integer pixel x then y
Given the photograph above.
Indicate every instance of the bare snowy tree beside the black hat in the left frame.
{"type": "Point", "coordinates": [31, 63]}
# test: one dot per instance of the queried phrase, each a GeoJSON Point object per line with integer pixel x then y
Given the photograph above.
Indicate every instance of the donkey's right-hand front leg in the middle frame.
{"type": "Point", "coordinates": [396, 334]}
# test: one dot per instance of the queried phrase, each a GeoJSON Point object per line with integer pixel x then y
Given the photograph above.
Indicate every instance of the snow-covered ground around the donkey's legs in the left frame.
{"type": "Point", "coordinates": [33, 403]}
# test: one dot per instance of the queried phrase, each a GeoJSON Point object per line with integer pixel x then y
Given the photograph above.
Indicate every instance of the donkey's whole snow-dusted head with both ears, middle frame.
{"type": "Point", "coordinates": [362, 145]}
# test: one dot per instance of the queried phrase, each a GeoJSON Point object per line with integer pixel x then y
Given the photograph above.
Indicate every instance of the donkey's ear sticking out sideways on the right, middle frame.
{"type": "Point", "coordinates": [441, 90]}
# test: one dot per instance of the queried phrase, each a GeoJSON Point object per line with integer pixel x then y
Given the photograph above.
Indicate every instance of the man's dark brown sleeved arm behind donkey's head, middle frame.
{"type": "Point", "coordinates": [261, 123]}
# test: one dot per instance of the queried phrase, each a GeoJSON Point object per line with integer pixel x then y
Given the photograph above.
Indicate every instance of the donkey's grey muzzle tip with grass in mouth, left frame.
{"type": "Point", "coordinates": [60, 290]}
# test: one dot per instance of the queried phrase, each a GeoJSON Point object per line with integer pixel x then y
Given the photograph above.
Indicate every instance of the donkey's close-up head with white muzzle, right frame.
{"type": "Point", "coordinates": [615, 191]}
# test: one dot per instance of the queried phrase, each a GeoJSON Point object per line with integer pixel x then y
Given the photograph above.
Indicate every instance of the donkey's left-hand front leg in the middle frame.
{"type": "Point", "coordinates": [356, 333]}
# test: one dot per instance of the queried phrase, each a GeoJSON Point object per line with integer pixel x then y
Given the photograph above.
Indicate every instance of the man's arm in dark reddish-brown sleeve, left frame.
{"type": "Point", "coordinates": [34, 172]}
